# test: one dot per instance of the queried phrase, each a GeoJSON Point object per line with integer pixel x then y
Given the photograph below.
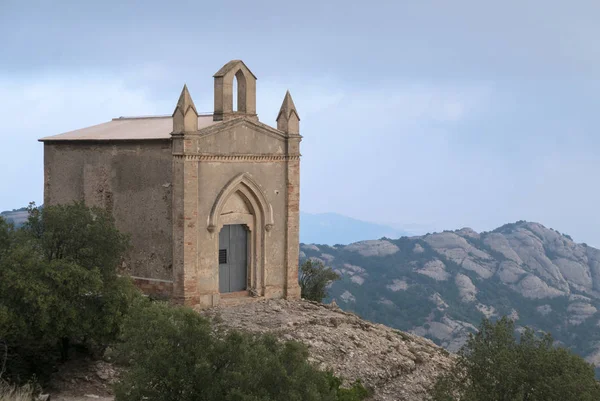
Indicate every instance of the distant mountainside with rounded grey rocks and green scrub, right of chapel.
{"type": "Point", "coordinates": [440, 285]}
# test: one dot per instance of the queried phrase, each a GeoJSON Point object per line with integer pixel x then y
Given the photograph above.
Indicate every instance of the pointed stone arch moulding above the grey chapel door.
{"type": "Point", "coordinates": [245, 183]}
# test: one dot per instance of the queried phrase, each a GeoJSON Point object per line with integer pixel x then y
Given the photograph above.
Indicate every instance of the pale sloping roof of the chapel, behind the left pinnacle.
{"type": "Point", "coordinates": [128, 129]}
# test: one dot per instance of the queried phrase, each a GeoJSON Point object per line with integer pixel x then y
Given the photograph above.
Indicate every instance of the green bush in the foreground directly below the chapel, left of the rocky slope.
{"type": "Point", "coordinates": [171, 354]}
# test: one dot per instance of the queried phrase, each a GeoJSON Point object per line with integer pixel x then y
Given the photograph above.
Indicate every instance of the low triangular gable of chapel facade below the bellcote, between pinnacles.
{"type": "Point", "coordinates": [241, 137]}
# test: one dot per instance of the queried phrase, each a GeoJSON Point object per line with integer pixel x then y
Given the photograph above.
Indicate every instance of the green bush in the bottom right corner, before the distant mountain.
{"type": "Point", "coordinates": [494, 366]}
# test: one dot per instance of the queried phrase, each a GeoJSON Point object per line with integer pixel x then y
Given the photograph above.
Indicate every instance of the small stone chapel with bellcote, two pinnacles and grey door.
{"type": "Point", "coordinates": [210, 201]}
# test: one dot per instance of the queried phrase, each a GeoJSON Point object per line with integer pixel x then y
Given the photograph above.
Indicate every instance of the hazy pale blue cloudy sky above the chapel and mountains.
{"type": "Point", "coordinates": [435, 114]}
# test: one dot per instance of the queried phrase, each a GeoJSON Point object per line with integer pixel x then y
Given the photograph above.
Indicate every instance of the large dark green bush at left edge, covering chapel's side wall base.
{"type": "Point", "coordinates": [59, 286]}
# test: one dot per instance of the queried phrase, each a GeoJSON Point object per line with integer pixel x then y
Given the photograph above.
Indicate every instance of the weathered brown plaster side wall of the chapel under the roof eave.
{"type": "Point", "coordinates": [133, 181]}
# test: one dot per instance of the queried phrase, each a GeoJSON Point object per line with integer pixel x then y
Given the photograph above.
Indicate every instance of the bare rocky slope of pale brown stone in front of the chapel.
{"type": "Point", "coordinates": [394, 364]}
